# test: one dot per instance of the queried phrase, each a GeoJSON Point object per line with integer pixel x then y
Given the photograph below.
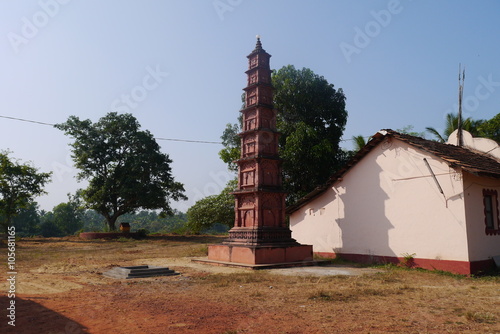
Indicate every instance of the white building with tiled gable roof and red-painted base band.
{"type": "Point", "coordinates": [404, 196]}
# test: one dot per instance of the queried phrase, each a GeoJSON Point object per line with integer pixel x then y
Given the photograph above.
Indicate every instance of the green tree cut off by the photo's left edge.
{"type": "Point", "coordinates": [20, 183]}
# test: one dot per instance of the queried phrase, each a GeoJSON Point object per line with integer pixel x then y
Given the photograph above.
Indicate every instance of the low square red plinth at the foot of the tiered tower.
{"type": "Point", "coordinates": [257, 255]}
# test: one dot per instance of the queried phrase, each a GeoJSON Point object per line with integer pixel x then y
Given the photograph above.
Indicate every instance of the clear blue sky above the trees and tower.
{"type": "Point", "coordinates": [178, 66]}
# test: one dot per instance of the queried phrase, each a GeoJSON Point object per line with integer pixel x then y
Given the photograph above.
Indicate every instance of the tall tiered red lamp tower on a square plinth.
{"type": "Point", "coordinates": [260, 235]}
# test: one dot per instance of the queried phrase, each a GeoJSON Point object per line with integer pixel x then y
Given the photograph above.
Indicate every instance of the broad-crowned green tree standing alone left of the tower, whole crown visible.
{"type": "Point", "coordinates": [124, 166]}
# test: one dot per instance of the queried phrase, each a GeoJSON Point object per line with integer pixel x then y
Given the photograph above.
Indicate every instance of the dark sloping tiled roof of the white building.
{"type": "Point", "coordinates": [473, 162]}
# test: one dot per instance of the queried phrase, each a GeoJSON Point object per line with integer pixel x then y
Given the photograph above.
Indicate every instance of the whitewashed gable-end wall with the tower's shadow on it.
{"type": "Point", "coordinates": [388, 204]}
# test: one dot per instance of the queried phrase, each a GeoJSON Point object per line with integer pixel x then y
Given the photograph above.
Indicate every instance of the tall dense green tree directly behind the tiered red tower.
{"type": "Point", "coordinates": [311, 119]}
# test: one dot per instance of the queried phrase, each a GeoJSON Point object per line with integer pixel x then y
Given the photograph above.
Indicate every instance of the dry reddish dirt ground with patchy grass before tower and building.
{"type": "Point", "coordinates": [60, 289]}
